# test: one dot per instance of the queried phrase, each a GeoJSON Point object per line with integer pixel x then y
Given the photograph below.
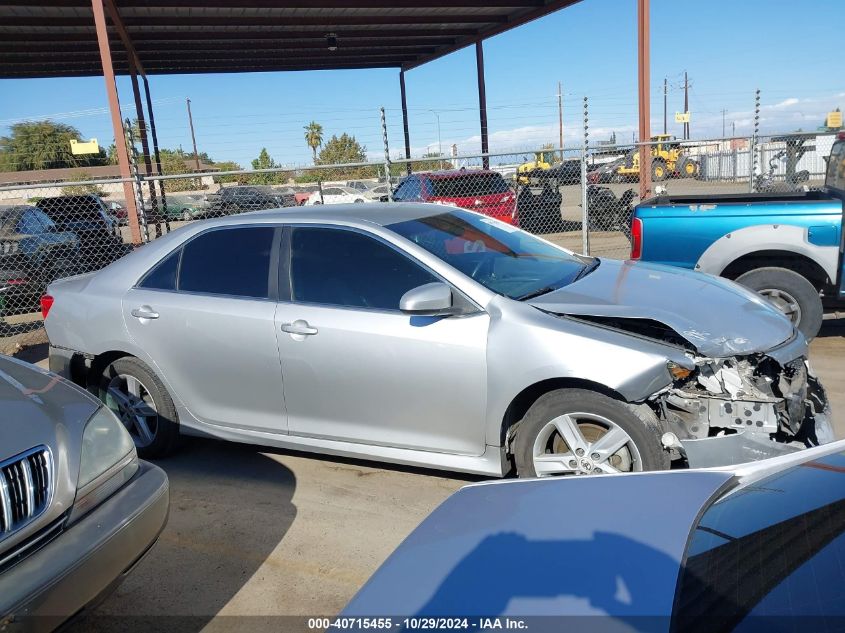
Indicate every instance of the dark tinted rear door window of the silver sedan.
{"type": "Point", "coordinates": [233, 262]}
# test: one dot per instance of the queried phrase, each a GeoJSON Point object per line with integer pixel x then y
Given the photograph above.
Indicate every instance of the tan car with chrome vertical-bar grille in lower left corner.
{"type": "Point", "coordinates": [78, 509]}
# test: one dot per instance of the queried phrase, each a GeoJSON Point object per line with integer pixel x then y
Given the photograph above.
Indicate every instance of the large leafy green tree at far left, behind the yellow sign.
{"type": "Point", "coordinates": [44, 145]}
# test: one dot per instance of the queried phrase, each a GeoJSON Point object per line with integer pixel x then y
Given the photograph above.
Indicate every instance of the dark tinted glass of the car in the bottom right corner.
{"type": "Point", "coordinates": [775, 548]}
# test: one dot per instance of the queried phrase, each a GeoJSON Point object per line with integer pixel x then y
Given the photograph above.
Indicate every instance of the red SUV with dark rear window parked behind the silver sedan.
{"type": "Point", "coordinates": [477, 190]}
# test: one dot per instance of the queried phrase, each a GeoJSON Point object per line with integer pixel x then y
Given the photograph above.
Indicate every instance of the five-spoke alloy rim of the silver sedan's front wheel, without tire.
{"type": "Point", "coordinates": [584, 444]}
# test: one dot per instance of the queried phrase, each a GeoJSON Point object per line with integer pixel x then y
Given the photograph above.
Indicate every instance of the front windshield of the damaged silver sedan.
{"type": "Point", "coordinates": [502, 258]}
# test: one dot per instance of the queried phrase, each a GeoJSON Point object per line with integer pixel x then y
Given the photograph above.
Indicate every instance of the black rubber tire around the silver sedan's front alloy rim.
{"type": "Point", "coordinates": [638, 422]}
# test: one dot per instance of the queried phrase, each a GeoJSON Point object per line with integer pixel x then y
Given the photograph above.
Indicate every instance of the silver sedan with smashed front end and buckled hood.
{"type": "Point", "coordinates": [431, 336]}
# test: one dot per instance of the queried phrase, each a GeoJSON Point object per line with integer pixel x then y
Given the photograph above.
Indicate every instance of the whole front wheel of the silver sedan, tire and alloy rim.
{"type": "Point", "coordinates": [581, 432]}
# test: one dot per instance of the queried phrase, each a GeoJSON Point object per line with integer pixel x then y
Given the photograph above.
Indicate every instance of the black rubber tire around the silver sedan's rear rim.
{"type": "Point", "coordinates": [166, 432]}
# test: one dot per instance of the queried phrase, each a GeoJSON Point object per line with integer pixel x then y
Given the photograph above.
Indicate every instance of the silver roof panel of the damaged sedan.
{"type": "Point", "coordinates": [378, 213]}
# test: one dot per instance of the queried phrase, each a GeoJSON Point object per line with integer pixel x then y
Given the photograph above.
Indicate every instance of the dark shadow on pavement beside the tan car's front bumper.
{"type": "Point", "coordinates": [230, 507]}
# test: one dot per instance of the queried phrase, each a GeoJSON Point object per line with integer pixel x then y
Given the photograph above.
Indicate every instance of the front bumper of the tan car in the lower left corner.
{"type": "Point", "coordinates": [88, 559]}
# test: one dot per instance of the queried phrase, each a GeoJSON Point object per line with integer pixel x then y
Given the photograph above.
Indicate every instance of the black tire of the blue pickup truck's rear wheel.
{"type": "Point", "coordinates": [794, 285]}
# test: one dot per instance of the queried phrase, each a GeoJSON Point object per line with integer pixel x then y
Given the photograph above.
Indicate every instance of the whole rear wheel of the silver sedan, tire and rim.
{"type": "Point", "coordinates": [139, 399]}
